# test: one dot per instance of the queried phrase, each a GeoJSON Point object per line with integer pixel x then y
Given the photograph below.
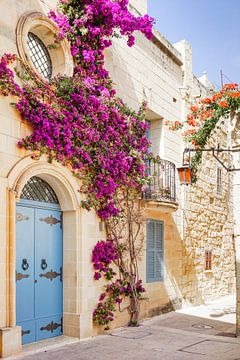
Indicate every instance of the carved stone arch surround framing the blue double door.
{"type": "Point", "coordinates": [66, 188]}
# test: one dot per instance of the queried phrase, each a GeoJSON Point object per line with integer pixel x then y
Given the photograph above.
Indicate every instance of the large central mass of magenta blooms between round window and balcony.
{"type": "Point", "coordinates": [100, 138]}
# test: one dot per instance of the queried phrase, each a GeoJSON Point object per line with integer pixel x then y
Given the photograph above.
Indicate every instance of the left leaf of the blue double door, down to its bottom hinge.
{"type": "Point", "coordinates": [25, 264]}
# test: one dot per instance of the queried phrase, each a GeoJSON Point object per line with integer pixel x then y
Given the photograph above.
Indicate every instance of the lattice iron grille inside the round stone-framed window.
{"type": "Point", "coordinates": [39, 56]}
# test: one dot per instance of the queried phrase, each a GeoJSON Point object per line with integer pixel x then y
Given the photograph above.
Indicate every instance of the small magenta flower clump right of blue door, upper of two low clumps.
{"type": "Point", "coordinates": [103, 254]}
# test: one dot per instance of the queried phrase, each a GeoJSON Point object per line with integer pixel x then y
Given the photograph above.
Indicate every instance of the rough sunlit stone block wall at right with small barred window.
{"type": "Point", "coordinates": [209, 226]}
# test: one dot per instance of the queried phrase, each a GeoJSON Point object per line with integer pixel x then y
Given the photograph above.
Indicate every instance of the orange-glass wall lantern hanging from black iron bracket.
{"type": "Point", "coordinates": [185, 171]}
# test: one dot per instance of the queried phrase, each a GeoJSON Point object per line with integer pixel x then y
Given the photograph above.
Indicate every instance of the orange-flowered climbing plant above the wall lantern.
{"type": "Point", "coordinates": [204, 116]}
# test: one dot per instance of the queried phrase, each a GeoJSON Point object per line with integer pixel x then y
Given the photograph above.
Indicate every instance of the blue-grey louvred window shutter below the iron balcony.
{"type": "Point", "coordinates": [155, 252]}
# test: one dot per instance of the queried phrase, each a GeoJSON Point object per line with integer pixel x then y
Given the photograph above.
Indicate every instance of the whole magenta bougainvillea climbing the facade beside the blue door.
{"type": "Point", "coordinates": [78, 120]}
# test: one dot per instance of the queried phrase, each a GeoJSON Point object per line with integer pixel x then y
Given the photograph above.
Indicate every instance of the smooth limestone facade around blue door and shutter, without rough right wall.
{"type": "Point", "coordinates": [143, 72]}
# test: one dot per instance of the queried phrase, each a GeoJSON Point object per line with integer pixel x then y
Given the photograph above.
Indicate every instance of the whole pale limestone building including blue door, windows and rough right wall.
{"type": "Point", "coordinates": [41, 200]}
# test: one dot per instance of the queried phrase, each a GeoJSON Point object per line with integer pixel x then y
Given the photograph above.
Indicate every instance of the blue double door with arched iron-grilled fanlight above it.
{"type": "Point", "coordinates": [39, 262]}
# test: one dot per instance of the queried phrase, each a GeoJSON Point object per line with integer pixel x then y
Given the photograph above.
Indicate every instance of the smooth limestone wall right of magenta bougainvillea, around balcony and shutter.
{"type": "Point", "coordinates": [152, 71]}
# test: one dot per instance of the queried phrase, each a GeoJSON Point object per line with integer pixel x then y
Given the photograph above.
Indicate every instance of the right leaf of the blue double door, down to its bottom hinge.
{"type": "Point", "coordinates": [48, 263]}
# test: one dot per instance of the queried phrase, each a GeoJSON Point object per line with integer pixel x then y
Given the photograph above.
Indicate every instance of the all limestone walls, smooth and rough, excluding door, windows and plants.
{"type": "Point", "coordinates": [161, 74]}
